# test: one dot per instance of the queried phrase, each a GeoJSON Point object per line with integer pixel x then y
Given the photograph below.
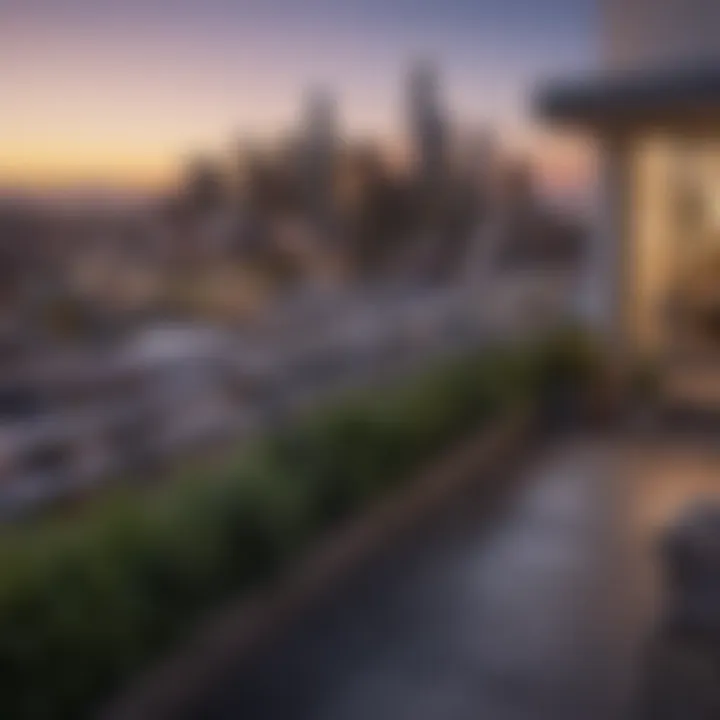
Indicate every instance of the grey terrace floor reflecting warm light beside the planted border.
{"type": "Point", "coordinates": [534, 607]}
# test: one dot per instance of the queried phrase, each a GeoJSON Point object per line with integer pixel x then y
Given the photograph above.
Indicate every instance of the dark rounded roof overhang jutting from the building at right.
{"type": "Point", "coordinates": [687, 98]}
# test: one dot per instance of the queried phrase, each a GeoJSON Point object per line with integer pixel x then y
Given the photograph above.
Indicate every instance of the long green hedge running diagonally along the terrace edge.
{"type": "Point", "coordinates": [89, 600]}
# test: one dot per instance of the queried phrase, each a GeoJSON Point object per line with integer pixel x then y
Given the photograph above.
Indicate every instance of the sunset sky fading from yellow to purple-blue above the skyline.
{"type": "Point", "coordinates": [120, 91]}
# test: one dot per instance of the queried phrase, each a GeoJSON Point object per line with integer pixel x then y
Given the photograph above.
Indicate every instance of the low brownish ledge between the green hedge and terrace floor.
{"type": "Point", "coordinates": [244, 625]}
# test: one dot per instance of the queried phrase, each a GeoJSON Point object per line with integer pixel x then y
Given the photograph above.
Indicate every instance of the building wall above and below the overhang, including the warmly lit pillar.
{"type": "Point", "coordinates": [634, 252]}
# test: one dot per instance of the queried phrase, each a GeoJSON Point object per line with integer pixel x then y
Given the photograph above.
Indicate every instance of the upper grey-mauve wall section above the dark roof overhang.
{"type": "Point", "coordinates": [644, 34]}
